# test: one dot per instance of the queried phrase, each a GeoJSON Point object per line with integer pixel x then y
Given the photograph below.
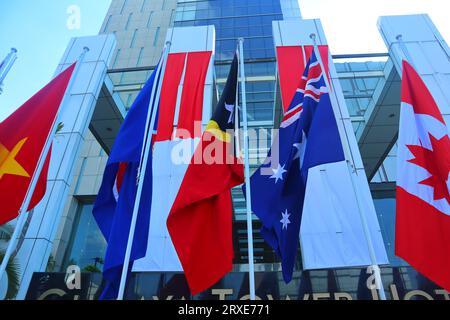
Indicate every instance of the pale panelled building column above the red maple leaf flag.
{"type": "Point", "coordinates": [426, 50]}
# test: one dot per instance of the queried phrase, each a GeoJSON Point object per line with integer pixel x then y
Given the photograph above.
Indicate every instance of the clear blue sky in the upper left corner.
{"type": "Point", "coordinates": [38, 29]}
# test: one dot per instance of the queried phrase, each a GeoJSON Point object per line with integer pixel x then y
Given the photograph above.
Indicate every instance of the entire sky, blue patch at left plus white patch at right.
{"type": "Point", "coordinates": [39, 30]}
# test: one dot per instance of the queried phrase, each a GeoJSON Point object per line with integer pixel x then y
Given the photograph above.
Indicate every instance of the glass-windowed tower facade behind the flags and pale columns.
{"type": "Point", "coordinates": [135, 22]}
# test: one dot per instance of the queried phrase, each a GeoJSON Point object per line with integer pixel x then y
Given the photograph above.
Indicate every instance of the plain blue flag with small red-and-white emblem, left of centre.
{"type": "Point", "coordinates": [114, 205]}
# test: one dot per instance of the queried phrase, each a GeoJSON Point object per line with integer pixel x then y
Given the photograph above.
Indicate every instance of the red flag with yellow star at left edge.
{"type": "Point", "coordinates": [22, 139]}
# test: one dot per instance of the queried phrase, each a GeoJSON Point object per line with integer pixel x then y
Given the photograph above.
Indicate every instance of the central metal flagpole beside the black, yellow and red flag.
{"type": "Point", "coordinates": [251, 263]}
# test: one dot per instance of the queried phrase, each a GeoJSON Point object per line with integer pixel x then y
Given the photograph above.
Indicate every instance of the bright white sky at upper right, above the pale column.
{"type": "Point", "coordinates": [351, 25]}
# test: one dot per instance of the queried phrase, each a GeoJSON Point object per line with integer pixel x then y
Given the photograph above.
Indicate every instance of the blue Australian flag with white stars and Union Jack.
{"type": "Point", "coordinates": [308, 137]}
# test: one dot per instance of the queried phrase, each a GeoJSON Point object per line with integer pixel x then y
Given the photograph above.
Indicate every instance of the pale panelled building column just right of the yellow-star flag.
{"type": "Point", "coordinates": [36, 241]}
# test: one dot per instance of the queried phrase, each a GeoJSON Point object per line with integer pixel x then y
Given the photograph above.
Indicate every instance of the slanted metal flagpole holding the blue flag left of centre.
{"type": "Point", "coordinates": [148, 136]}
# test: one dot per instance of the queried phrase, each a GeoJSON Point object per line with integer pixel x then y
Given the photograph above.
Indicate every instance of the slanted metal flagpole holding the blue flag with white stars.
{"type": "Point", "coordinates": [376, 268]}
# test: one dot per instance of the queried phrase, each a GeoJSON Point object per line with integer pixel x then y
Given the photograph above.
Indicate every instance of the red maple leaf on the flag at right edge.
{"type": "Point", "coordinates": [437, 163]}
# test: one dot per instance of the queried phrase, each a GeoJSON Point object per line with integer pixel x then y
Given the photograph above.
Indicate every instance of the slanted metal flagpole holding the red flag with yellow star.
{"type": "Point", "coordinates": [35, 178]}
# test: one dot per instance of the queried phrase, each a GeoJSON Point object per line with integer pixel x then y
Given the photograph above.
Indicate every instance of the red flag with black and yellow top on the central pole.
{"type": "Point", "coordinates": [200, 220]}
